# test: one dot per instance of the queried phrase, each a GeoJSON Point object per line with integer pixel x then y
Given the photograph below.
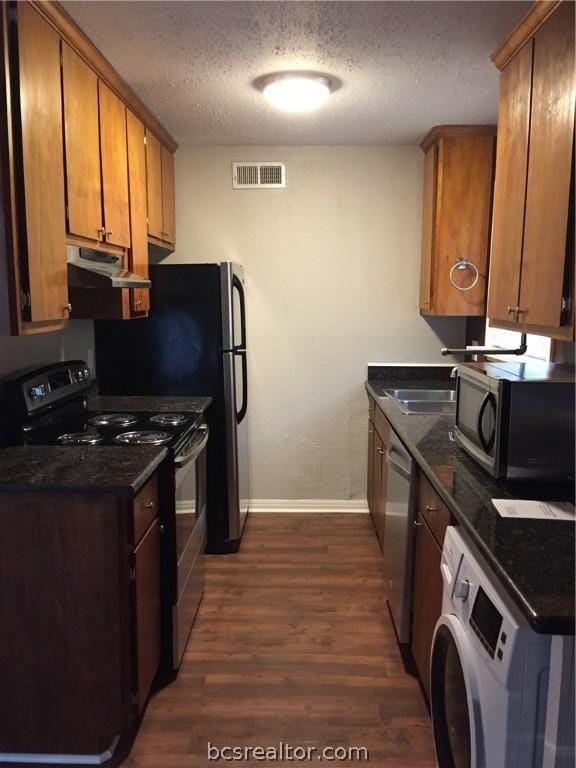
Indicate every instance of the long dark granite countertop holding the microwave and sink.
{"type": "Point", "coordinates": [533, 559]}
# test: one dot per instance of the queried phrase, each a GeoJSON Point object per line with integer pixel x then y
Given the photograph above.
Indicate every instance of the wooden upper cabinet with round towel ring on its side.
{"type": "Point", "coordinates": [458, 176]}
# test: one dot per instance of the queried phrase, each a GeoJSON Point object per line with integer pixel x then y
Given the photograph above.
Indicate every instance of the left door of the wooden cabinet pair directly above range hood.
{"type": "Point", "coordinates": [82, 142]}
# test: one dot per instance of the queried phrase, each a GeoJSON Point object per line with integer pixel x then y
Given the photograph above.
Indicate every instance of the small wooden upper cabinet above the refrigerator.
{"type": "Point", "coordinates": [161, 197]}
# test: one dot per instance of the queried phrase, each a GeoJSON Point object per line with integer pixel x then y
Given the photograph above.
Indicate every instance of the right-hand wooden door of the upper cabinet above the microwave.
{"type": "Point", "coordinates": [549, 171]}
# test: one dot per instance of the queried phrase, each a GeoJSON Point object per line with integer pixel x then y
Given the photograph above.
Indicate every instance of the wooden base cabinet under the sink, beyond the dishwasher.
{"type": "Point", "coordinates": [378, 438]}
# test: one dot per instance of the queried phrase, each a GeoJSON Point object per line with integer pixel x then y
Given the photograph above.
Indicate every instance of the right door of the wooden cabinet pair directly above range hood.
{"type": "Point", "coordinates": [114, 158]}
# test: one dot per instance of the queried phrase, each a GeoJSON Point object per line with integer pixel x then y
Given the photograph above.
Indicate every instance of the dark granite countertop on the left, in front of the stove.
{"type": "Point", "coordinates": [75, 469]}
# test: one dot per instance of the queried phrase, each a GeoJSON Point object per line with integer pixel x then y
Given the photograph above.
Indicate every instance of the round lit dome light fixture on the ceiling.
{"type": "Point", "coordinates": [297, 91]}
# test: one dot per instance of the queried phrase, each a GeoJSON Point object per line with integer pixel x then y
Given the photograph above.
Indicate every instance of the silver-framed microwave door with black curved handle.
{"type": "Point", "coordinates": [478, 415]}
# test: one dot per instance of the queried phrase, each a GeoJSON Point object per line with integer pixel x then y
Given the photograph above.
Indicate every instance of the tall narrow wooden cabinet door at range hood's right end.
{"type": "Point", "coordinates": [138, 229]}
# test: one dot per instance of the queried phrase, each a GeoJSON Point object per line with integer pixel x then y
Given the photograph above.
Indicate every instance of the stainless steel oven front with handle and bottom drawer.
{"type": "Point", "coordinates": [190, 486]}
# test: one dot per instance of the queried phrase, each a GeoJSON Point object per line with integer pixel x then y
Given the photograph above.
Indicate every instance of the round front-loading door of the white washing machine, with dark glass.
{"type": "Point", "coordinates": [454, 701]}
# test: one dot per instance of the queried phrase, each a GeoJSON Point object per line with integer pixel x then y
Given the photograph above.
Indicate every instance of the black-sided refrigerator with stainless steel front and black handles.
{"type": "Point", "coordinates": [192, 344]}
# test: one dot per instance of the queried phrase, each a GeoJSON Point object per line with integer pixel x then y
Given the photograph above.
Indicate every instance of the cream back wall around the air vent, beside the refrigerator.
{"type": "Point", "coordinates": [332, 263]}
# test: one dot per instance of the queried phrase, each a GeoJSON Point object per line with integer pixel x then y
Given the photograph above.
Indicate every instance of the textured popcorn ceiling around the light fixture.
{"type": "Point", "coordinates": [404, 66]}
